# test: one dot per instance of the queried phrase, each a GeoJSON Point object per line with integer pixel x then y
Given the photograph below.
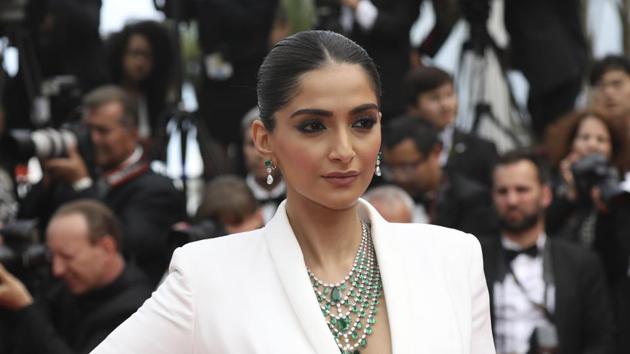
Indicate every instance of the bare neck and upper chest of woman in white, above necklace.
{"type": "Point", "coordinates": [329, 239]}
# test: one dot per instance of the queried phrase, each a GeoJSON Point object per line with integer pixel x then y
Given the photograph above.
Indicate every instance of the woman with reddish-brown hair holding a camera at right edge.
{"type": "Point", "coordinates": [591, 209]}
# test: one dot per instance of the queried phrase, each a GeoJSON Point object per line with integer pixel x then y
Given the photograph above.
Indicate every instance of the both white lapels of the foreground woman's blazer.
{"type": "Point", "coordinates": [289, 261]}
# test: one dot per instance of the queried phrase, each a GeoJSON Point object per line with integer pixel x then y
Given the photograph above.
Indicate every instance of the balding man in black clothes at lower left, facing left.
{"type": "Point", "coordinates": [98, 289]}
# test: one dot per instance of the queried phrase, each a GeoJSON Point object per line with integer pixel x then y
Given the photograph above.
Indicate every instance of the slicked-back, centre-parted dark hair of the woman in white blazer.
{"type": "Point", "coordinates": [279, 74]}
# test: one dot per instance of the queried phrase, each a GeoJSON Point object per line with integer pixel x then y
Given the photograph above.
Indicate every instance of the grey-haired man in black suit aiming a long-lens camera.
{"type": "Point", "coordinates": [146, 203]}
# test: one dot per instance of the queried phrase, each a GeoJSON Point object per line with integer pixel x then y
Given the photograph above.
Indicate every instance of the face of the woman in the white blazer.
{"type": "Point", "coordinates": [327, 137]}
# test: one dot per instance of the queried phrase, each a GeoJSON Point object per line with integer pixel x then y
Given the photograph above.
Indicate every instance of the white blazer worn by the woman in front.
{"type": "Point", "coordinates": [250, 293]}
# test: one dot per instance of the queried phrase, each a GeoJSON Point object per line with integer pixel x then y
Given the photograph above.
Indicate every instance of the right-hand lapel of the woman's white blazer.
{"type": "Point", "coordinates": [401, 320]}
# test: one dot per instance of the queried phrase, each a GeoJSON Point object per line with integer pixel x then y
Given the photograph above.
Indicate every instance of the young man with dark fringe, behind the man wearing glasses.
{"type": "Point", "coordinates": [430, 95]}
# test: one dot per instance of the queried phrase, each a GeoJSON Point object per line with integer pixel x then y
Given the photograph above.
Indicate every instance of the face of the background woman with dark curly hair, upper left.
{"type": "Point", "coordinates": [138, 58]}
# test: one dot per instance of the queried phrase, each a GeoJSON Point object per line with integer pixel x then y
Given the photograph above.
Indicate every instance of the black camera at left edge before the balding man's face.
{"type": "Point", "coordinates": [21, 250]}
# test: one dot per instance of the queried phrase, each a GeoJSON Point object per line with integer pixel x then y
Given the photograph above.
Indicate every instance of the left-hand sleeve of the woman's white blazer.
{"type": "Point", "coordinates": [165, 322]}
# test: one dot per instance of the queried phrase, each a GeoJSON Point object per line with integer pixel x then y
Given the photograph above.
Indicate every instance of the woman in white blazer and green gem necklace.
{"type": "Point", "coordinates": [327, 274]}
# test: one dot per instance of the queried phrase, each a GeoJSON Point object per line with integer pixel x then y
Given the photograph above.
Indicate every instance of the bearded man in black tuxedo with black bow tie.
{"type": "Point", "coordinates": [545, 293]}
